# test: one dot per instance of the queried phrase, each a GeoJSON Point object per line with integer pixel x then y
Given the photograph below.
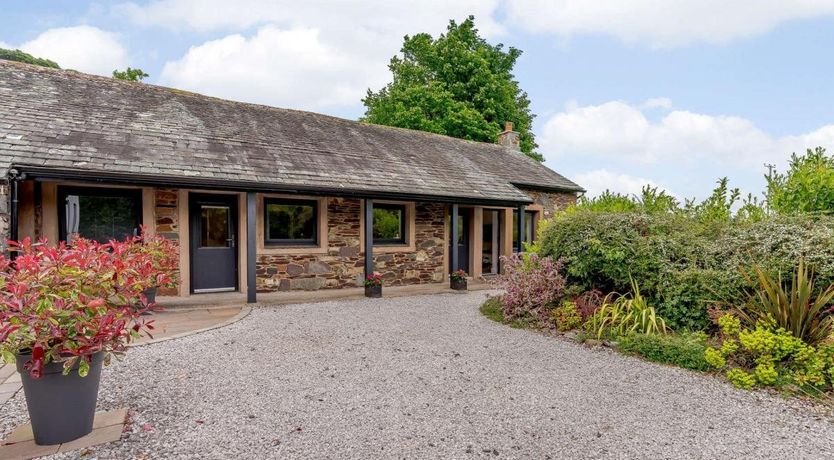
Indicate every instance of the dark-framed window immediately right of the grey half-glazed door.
{"type": "Point", "coordinates": [290, 222]}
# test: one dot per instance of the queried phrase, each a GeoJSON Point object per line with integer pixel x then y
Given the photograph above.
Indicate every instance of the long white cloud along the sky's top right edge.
{"type": "Point", "coordinates": [662, 23]}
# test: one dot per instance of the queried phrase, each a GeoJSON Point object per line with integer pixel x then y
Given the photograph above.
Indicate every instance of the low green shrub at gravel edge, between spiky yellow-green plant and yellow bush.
{"type": "Point", "coordinates": [684, 350]}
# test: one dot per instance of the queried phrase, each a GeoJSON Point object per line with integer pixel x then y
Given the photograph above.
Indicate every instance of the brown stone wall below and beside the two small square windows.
{"type": "Point", "coordinates": [343, 264]}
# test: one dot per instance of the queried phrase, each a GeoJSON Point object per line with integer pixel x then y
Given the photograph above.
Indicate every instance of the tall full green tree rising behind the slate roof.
{"type": "Point", "coordinates": [457, 85]}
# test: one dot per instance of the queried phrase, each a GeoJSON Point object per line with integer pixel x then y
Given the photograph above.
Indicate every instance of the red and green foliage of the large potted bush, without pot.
{"type": "Point", "coordinates": [66, 303]}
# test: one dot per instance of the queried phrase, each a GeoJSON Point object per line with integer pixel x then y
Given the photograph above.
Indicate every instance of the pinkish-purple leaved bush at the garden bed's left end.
{"type": "Point", "coordinates": [533, 286]}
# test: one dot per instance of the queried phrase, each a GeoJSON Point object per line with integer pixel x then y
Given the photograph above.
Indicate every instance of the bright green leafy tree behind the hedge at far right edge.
{"type": "Point", "coordinates": [807, 186]}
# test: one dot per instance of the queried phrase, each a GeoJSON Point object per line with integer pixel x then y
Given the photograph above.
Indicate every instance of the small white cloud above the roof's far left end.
{"type": "Point", "coordinates": [84, 48]}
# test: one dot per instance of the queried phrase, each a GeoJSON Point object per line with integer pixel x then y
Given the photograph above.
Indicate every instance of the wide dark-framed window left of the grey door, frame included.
{"type": "Point", "coordinates": [99, 214]}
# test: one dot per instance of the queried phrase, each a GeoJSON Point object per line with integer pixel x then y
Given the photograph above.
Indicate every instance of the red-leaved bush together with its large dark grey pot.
{"type": "Point", "coordinates": [65, 311]}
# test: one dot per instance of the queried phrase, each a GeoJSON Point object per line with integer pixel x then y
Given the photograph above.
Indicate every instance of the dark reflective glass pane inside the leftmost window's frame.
{"type": "Point", "coordinates": [101, 218]}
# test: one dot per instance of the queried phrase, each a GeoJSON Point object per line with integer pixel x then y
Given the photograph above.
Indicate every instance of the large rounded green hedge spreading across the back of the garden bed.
{"type": "Point", "coordinates": [683, 264]}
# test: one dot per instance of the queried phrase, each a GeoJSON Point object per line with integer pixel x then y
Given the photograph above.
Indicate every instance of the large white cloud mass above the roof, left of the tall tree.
{"type": "Point", "coordinates": [313, 55]}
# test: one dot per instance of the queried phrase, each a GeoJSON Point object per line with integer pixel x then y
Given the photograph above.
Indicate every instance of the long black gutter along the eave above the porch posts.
{"type": "Point", "coordinates": [45, 174]}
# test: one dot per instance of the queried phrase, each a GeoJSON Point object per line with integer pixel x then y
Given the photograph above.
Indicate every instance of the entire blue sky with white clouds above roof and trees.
{"type": "Point", "coordinates": [670, 93]}
